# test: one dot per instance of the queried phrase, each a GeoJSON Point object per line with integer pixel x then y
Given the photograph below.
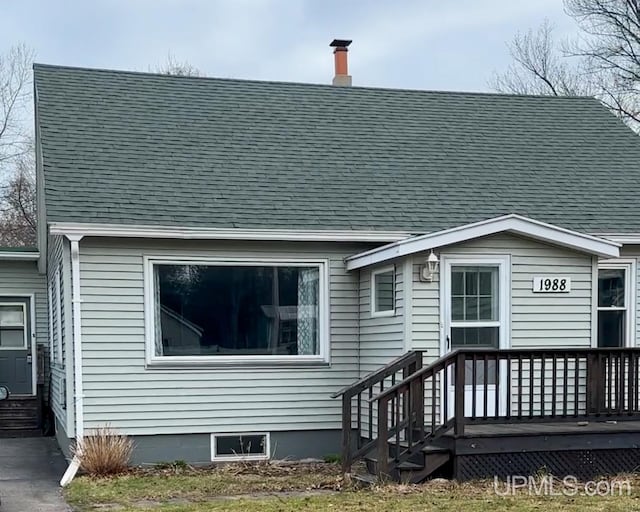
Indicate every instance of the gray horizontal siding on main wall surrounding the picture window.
{"type": "Point", "coordinates": [120, 390]}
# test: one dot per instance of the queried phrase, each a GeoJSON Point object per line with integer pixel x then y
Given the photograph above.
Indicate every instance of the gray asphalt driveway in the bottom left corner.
{"type": "Point", "coordinates": [30, 472]}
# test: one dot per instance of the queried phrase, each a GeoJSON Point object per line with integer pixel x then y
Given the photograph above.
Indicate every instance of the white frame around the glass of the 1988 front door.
{"type": "Point", "coordinates": [503, 262]}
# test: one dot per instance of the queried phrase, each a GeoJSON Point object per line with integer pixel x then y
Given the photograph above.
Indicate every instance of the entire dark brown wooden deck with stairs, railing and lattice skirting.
{"type": "Point", "coordinates": [392, 421]}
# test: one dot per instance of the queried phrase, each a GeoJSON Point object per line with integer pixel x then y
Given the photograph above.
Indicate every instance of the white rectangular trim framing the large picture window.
{"type": "Point", "coordinates": [235, 361]}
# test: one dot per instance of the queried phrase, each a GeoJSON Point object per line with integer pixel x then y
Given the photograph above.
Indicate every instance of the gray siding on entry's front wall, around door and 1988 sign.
{"type": "Point", "coordinates": [537, 319]}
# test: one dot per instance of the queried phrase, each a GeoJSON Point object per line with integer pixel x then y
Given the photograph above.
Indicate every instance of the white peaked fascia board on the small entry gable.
{"type": "Point", "coordinates": [512, 223]}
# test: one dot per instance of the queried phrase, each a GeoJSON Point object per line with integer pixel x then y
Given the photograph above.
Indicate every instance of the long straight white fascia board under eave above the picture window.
{"type": "Point", "coordinates": [142, 231]}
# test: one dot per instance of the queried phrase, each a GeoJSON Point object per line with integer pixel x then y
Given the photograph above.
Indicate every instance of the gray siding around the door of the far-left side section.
{"type": "Point", "coordinates": [19, 278]}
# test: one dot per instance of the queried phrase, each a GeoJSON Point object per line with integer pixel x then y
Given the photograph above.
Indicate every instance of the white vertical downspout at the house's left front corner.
{"type": "Point", "coordinates": [77, 353]}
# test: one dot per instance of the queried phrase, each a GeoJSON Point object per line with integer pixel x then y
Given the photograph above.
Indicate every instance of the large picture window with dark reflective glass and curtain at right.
{"type": "Point", "coordinates": [237, 310]}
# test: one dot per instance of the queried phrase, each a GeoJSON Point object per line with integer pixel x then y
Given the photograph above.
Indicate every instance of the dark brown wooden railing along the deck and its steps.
{"type": "Point", "coordinates": [483, 386]}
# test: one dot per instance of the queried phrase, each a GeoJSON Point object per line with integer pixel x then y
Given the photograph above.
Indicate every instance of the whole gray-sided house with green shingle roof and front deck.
{"type": "Point", "coordinates": [221, 257]}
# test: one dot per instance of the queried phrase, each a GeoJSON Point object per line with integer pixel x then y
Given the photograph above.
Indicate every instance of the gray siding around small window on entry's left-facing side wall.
{"type": "Point", "coordinates": [381, 338]}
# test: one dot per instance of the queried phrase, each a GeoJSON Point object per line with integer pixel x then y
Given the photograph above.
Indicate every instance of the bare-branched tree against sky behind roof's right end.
{"type": "Point", "coordinates": [604, 61]}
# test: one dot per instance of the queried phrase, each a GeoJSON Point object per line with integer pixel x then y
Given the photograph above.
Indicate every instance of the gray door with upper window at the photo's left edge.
{"type": "Point", "coordinates": [15, 346]}
